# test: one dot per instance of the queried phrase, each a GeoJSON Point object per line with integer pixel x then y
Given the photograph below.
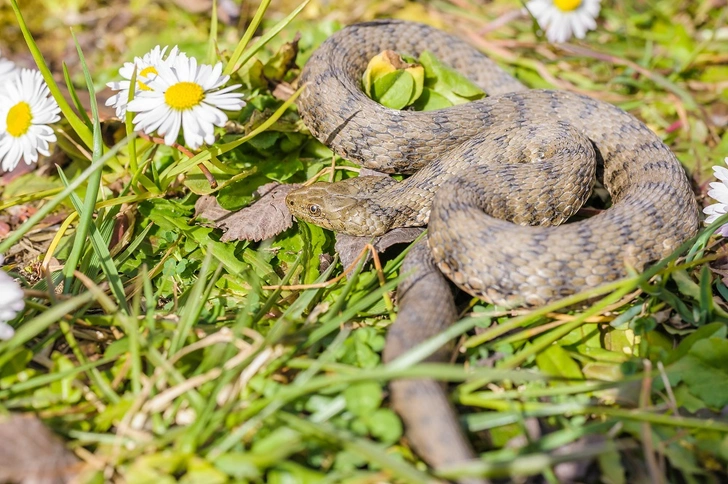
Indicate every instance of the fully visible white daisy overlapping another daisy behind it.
{"type": "Point", "coordinates": [185, 95]}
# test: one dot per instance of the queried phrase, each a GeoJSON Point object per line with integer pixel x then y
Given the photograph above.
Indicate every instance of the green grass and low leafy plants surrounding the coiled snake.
{"type": "Point", "coordinates": [160, 353]}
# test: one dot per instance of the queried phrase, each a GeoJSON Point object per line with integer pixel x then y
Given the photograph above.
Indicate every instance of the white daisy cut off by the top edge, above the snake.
{"type": "Point", "coordinates": [563, 18]}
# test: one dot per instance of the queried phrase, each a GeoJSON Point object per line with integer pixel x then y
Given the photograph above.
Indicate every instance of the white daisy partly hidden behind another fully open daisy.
{"type": "Point", "coordinates": [146, 67]}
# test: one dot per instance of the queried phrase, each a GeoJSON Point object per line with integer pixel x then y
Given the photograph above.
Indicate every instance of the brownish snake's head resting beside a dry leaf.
{"type": "Point", "coordinates": [339, 206]}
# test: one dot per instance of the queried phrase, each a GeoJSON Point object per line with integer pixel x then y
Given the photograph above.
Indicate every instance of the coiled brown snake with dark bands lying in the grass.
{"type": "Point", "coordinates": [495, 180]}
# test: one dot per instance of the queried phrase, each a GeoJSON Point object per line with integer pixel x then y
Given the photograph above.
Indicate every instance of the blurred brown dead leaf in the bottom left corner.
{"type": "Point", "coordinates": [31, 453]}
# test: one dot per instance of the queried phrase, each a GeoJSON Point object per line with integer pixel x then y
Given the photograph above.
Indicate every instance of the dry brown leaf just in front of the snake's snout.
{"type": "Point", "coordinates": [265, 218]}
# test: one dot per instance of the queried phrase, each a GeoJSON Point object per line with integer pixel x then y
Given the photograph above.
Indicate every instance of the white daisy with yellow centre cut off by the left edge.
{"type": "Point", "coordinates": [26, 110]}
